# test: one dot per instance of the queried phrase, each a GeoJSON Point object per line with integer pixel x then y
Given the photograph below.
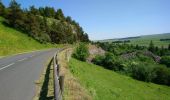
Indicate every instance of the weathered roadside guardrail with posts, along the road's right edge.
{"type": "Point", "coordinates": [58, 80]}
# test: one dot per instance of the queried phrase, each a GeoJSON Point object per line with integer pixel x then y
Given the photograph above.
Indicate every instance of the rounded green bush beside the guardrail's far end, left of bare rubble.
{"type": "Point", "coordinates": [81, 52]}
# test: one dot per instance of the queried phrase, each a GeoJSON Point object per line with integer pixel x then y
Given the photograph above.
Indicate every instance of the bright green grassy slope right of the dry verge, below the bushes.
{"type": "Point", "coordinates": [104, 84]}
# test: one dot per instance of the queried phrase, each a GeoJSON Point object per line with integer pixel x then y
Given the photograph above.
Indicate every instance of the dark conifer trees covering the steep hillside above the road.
{"type": "Point", "coordinates": [44, 24]}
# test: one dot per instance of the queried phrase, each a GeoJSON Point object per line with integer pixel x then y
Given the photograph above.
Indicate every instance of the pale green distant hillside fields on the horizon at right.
{"type": "Point", "coordinates": [145, 40]}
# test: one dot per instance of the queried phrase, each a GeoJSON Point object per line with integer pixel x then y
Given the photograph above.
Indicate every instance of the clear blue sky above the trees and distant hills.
{"type": "Point", "coordinates": [105, 19]}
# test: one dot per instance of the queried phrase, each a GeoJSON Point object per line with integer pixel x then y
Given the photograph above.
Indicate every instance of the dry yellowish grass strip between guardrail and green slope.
{"type": "Point", "coordinates": [72, 88]}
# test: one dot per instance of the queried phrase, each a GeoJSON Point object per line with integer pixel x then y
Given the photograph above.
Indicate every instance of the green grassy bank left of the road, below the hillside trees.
{"type": "Point", "coordinates": [13, 41]}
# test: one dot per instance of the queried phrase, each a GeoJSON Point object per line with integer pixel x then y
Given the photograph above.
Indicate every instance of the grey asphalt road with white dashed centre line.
{"type": "Point", "coordinates": [18, 74]}
